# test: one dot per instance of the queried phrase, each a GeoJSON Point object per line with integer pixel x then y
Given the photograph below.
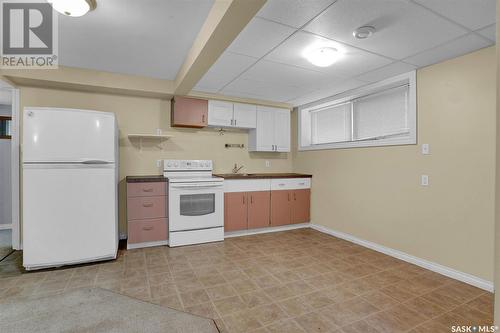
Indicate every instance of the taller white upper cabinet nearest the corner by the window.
{"type": "Point", "coordinates": [272, 132]}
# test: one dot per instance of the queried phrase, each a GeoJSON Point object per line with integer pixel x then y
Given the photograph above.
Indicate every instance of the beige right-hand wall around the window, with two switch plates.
{"type": "Point", "coordinates": [374, 193]}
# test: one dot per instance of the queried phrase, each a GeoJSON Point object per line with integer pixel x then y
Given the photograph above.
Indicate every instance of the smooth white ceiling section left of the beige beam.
{"type": "Point", "coordinates": [129, 37]}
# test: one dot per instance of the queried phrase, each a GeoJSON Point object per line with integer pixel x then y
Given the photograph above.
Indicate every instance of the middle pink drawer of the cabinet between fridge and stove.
{"type": "Point", "coordinates": [146, 207]}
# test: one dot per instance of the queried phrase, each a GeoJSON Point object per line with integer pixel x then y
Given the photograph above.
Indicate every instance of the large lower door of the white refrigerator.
{"type": "Point", "coordinates": [69, 214]}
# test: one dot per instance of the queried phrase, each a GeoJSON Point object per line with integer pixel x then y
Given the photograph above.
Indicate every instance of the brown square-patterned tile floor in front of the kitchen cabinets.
{"type": "Point", "coordinates": [294, 281]}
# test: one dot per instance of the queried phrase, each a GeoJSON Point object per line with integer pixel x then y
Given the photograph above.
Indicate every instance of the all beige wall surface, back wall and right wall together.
{"type": "Point", "coordinates": [371, 193]}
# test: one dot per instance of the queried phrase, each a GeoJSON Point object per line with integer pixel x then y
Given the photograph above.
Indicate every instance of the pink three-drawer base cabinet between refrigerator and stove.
{"type": "Point", "coordinates": [147, 213]}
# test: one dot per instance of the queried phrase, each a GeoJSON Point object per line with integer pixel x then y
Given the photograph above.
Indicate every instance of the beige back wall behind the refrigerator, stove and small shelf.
{"type": "Point", "coordinates": [145, 115]}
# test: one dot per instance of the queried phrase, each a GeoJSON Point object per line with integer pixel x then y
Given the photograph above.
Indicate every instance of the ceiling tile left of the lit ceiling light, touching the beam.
{"type": "Point", "coordinates": [259, 37]}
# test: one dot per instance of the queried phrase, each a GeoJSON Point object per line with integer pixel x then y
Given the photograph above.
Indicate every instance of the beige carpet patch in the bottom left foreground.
{"type": "Point", "coordinates": [96, 310]}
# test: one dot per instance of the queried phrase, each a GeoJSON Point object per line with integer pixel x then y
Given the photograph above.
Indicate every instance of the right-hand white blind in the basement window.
{"type": "Point", "coordinates": [381, 115]}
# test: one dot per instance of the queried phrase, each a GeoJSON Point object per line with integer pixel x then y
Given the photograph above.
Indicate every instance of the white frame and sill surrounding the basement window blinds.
{"type": "Point", "coordinates": [304, 137]}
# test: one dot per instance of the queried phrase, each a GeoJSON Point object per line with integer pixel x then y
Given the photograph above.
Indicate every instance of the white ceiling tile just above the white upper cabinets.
{"type": "Point", "coordinates": [263, 90]}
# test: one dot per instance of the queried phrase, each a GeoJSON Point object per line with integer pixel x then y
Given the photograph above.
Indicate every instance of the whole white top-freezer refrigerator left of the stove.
{"type": "Point", "coordinates": [70, 187]}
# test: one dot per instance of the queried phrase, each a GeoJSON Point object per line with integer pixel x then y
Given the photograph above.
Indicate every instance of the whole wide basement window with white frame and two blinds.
{"type": "Point", "coordinates": [379, 114]}
